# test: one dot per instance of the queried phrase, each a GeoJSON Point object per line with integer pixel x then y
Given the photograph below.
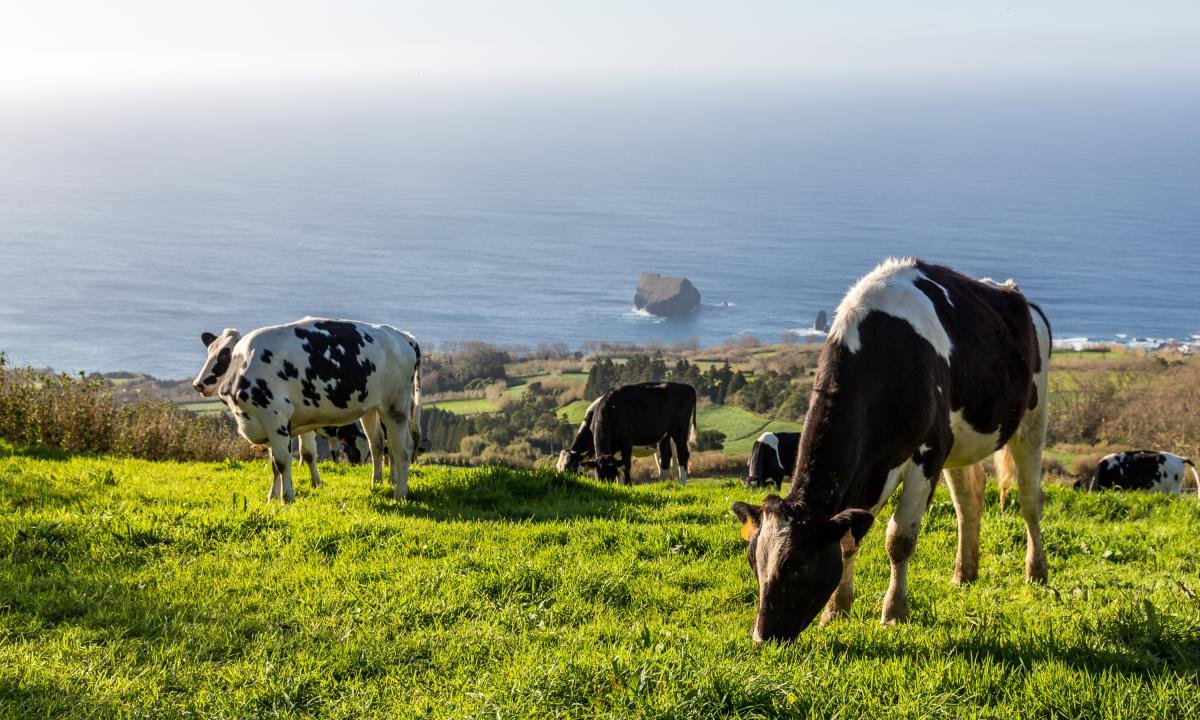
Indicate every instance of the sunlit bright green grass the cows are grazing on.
{"type": "Point", "coordinates": [133, 589]}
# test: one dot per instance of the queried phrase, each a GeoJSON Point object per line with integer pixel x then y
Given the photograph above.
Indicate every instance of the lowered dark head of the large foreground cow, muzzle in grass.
{"type": "Point", "coordinates": [796, 556]}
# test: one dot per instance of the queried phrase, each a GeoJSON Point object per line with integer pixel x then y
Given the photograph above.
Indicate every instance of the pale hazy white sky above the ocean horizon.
{"type": "Point", "coordinates": [56, 46]}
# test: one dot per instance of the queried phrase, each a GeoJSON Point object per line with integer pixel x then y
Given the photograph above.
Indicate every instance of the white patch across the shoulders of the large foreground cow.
{"type": "Point", "coordinates": [890, 290]}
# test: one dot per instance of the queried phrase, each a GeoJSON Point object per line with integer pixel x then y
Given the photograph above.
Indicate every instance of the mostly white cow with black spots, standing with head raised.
{"type": "Point", "coordinates": [291, 380]}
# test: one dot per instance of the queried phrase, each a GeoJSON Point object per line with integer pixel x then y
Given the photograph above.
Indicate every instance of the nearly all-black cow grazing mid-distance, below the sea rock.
{"type": "Point", "coordinates": [661, 415]}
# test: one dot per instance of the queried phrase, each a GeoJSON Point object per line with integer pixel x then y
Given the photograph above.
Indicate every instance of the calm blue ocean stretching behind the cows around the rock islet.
{"type": "Point", "coordinates": [523, 215]}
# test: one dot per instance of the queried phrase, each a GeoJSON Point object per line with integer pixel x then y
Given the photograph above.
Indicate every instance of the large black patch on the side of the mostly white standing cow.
{"type": "Point", "coordinates": [334, 361]}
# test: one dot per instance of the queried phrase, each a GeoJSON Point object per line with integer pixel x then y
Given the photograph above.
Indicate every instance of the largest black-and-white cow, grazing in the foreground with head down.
{"type": "Point", "coordinates": [925, 369]}
